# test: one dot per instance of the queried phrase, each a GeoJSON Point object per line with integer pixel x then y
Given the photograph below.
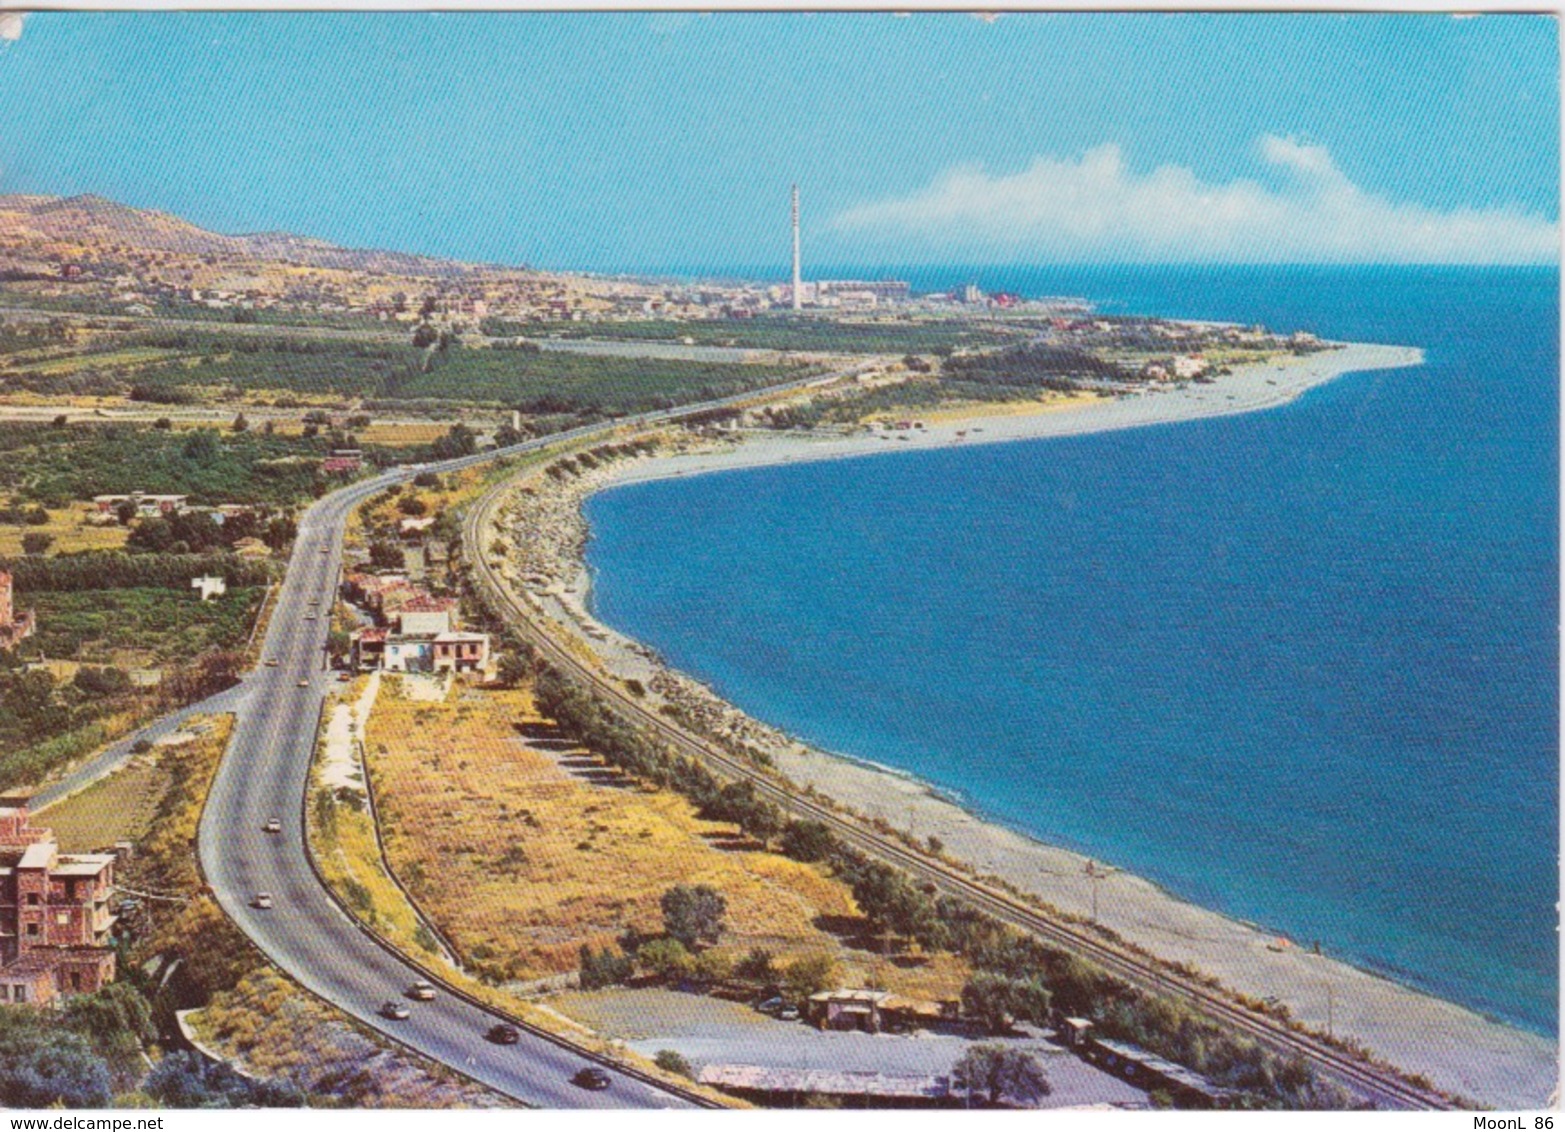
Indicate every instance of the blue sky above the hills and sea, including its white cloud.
{"type": "Point", "coordinates": [667, 142]}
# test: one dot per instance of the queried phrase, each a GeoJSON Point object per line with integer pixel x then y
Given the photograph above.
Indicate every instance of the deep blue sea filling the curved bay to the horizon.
{"type": "Point", "coordinates": [1300, 666]}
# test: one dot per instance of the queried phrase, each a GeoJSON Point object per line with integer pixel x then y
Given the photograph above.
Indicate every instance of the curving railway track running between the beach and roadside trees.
{"type": "Point", "coordinates": [1380, 1087]}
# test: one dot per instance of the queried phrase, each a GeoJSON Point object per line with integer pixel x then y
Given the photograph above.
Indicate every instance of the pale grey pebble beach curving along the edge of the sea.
{"type": "Point", "coordinates": [1453, 1047]}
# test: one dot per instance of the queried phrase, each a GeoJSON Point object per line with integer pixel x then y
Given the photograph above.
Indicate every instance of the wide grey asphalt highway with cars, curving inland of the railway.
{"type": "Point", "coordinates": [265, 774]}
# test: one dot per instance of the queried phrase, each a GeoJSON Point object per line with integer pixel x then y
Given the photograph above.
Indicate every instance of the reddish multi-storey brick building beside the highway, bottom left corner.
{"type": "Point", "coordinates": [56, 917]}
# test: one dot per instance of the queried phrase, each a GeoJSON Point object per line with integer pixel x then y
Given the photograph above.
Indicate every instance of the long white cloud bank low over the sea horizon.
{"type": "Point", "coordinates": [1096, 207]}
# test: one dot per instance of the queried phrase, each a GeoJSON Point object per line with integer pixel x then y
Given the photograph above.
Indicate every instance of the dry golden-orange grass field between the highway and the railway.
{"type": "Point", "coordinates": [523, 849]}
